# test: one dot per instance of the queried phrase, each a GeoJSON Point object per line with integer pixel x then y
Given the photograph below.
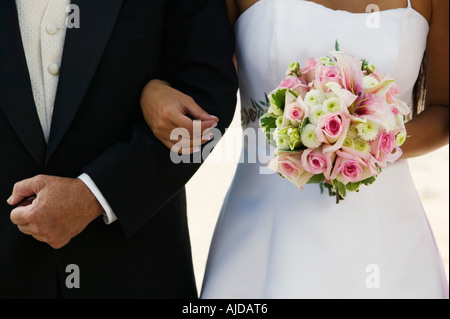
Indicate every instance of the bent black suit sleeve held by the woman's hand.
{"type": "Point", "coordinates": [138, 178]}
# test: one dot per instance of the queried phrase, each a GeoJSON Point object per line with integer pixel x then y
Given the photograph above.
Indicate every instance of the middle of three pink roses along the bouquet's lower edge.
{"type": "Point", "coordinates": [316, 162]}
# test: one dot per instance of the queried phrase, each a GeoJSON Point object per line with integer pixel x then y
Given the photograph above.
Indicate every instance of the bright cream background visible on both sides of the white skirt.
{"type": "Point", "coordinates": [207, 189]}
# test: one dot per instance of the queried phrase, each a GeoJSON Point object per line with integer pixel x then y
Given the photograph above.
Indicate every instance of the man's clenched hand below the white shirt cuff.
{"type": "Point", "coordinates": [53, 209]}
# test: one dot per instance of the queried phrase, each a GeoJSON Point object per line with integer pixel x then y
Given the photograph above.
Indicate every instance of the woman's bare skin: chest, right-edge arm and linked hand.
{"type": "Point", "coordinates": [428, 131]}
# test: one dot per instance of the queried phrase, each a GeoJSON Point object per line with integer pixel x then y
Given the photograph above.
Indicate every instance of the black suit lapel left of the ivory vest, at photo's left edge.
{"type": "Point", "coordinates": [16, 95]}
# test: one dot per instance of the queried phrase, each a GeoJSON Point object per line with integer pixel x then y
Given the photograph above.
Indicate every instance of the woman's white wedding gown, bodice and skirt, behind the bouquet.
{"type": "Point", "coordinates": [273, 240]}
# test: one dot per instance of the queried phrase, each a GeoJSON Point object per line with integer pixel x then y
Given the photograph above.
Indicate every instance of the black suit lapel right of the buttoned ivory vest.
{"type": "Point", "coordinates": [83, 49]}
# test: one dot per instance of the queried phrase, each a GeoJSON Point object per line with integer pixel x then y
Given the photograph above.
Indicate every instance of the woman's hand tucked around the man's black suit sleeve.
{"type": "Point", "coordinates": [166, 109]}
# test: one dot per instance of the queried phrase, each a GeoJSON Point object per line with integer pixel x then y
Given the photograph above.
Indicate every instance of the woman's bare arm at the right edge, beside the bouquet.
{"type": "Point", "coordinates": [430, 130]}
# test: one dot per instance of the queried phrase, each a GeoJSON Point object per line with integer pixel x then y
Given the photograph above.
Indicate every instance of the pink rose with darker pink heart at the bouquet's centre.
{"type": "Point", "coordinates": [332, 130]}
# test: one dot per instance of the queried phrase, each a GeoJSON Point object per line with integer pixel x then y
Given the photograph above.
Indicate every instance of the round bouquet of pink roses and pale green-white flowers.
{"type": "Point", "coordinates": [336, 122]}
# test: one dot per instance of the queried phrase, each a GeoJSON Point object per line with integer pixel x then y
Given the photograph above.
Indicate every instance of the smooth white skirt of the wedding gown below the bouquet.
{"type": "Point", "coordinates": [273, 241]}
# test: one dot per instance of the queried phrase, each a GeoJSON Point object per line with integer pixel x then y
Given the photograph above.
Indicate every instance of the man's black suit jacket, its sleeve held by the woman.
{"type": "Point", "coordinates": [98, 129]}
